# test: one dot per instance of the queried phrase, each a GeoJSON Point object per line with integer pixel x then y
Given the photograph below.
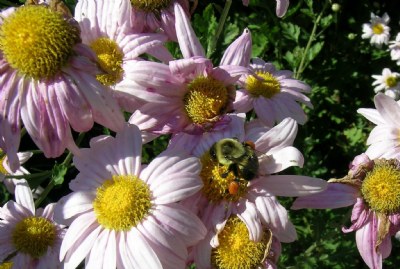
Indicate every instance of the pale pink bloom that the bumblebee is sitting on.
{"type": "Point", "coordinates": [226, 192]}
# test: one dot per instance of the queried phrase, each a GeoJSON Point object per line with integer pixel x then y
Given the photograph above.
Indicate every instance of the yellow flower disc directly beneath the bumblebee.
{"type": "Point", "coordinates": [216, 179]}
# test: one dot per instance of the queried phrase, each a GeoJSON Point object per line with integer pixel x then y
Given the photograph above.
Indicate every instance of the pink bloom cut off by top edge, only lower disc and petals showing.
{"type": "Point", "coordinates": [154, 15]}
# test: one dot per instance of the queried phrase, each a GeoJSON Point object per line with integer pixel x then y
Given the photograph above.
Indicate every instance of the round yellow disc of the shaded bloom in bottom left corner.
{"type": "Point", "coordinates": [33, 235]}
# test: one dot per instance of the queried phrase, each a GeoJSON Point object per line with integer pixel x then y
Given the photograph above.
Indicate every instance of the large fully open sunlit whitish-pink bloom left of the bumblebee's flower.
{"type": "Point", "coordinates": [123, 216]}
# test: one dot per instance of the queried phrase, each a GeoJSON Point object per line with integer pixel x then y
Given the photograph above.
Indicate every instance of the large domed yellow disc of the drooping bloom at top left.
{"type": "Point", "coordinates": [37, 41]}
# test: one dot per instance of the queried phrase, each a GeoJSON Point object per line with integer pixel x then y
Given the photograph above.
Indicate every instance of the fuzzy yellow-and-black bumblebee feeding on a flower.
{"type": "Point", "coordinates": [240, 158]}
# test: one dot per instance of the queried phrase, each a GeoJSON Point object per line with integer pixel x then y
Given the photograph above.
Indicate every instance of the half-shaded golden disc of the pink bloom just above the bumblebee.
{"type": "Point", "coordinates": [206, 99]}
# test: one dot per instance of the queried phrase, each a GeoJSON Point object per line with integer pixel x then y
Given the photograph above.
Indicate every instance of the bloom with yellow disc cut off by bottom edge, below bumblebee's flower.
{"type": "Point", "coordinates": [231, 247]}
